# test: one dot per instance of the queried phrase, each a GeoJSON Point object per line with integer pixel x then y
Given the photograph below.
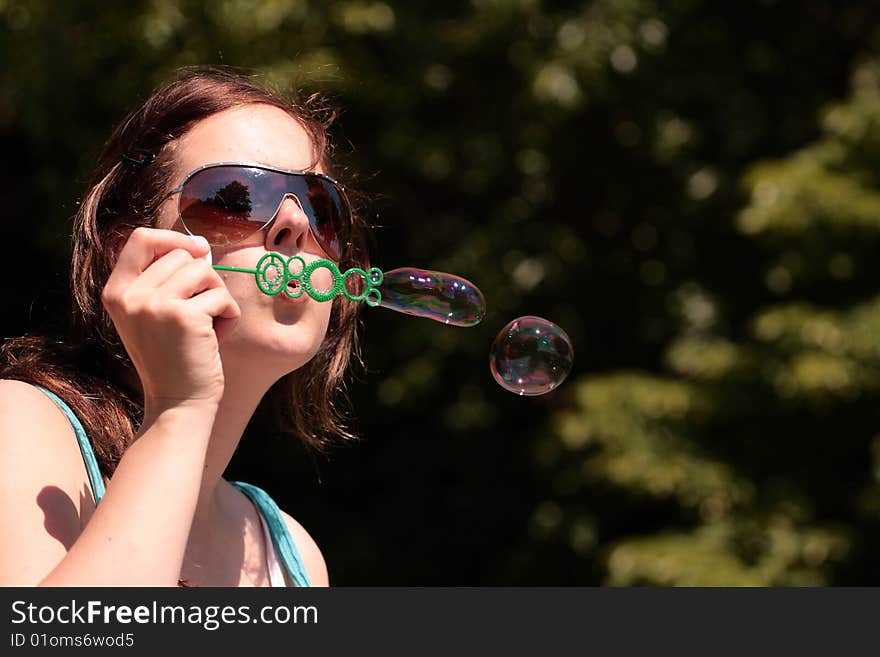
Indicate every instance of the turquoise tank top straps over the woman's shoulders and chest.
{"type": "Point", "coordinates": [281, 539]}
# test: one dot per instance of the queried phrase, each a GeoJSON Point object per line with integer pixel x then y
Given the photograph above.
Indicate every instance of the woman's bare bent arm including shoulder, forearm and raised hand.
{"type": "Point", "coordinates": [164, 302]}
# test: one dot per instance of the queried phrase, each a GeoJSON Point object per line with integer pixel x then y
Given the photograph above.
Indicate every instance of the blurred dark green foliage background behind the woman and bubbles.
{"type": "Point", "coordinates": [688, 188]}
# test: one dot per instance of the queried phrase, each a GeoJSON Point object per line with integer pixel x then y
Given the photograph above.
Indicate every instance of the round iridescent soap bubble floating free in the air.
{"type": "Point", "coordinates": [531, 356]}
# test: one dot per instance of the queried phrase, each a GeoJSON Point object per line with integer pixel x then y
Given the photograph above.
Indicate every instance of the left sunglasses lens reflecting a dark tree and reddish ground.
{"type": "Point", "coordinates": [226, 204]}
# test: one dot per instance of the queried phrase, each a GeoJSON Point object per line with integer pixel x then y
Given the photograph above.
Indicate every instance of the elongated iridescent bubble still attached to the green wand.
{"type": "Point", "coordinates": [445, 298]}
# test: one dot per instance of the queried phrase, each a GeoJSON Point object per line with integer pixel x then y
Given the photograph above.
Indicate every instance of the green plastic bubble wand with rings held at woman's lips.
{"type": "Point", "coordinates": [274, 272]}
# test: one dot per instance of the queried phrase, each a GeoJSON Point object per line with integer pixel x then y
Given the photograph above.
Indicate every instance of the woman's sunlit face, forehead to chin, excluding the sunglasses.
{"type": "Point", "coordinates": [273, 331]}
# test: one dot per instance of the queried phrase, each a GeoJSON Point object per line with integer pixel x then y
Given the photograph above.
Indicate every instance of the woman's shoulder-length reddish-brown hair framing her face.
{"type": "Point", "coordinates": [91, 371]}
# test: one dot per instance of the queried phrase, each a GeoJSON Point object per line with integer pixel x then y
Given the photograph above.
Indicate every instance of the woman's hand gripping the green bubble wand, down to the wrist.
{"type": "Point", "coordinates": [164, 299]}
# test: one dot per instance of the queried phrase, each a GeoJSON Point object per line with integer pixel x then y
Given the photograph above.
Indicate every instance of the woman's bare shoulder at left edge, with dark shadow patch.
{"type": "Point", "coordinates": [42, 479]}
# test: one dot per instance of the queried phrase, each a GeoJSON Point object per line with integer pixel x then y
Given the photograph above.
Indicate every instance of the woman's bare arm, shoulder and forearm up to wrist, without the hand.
{"type": "Point", "coordinates": [137, 535]}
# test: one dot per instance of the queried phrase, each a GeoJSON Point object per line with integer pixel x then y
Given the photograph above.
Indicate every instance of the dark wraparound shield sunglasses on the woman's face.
{"type": "Point", "coordinates": [229, 202]}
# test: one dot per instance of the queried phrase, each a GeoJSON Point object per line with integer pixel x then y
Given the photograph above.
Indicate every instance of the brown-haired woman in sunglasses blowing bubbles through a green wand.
{"type": "Point", "coordinates": [113, 444]}
